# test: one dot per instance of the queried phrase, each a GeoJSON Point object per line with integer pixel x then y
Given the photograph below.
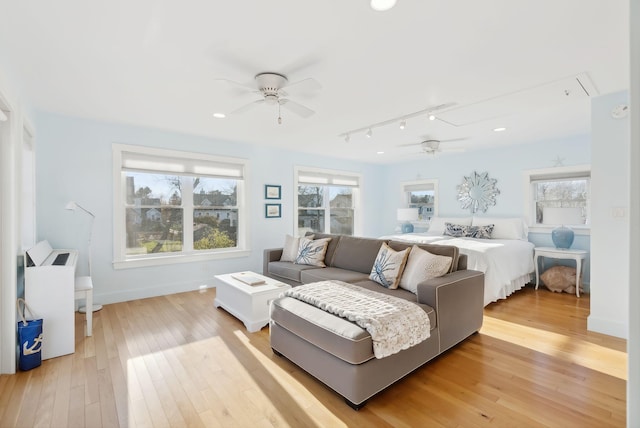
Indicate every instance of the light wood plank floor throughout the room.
{"type": "Point", "coordinates": [177, 361]}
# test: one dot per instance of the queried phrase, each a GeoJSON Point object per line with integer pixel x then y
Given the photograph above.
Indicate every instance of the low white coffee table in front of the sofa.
{"type": "Point", "coordinates": [248, 303]}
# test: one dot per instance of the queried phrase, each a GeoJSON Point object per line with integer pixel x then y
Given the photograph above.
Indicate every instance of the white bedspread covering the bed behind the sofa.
{"type": "Point", "coordinates": [507, 263]}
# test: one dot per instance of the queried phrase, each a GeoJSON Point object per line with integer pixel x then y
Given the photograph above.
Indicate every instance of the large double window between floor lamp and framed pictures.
{"type": "Point", "coordinates": [177, 205]}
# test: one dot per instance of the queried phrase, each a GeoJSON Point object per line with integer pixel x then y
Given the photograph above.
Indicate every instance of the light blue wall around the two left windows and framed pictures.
{"type": "Point", "coordinates": [74, 162]}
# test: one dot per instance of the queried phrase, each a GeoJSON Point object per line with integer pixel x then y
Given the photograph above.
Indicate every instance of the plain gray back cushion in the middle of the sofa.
{"type": "Point", "coordinates": [357, 254]}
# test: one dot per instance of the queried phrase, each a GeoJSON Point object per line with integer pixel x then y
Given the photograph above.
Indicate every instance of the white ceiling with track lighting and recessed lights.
{"type": "Point", "coordinates": [155, 63]}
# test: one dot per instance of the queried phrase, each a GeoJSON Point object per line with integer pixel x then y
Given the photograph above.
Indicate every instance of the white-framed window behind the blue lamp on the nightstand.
{"type": "Point", "coordinates": [551, 190]}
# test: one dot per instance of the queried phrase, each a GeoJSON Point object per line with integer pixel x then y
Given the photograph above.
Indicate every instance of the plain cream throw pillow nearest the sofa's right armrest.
{"type": "Point", "coordinates": [423, 265]}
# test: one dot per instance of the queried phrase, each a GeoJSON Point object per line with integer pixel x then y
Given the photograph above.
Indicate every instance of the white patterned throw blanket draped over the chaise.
{"type": "Point", "coordinates": [393, 323]}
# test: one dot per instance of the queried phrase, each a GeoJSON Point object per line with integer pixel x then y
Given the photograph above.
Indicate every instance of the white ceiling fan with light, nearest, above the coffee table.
{"type": "Point", "coordinates": [270, 86]}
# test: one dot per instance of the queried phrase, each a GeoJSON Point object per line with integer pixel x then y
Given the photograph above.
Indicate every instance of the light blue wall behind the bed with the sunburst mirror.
{"type": "Point", "coordinates": [506, 164]}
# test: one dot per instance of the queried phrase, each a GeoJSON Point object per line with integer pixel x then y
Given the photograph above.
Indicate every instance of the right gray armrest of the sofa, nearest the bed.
{"type": "Point", "coordinates": [458, 299]}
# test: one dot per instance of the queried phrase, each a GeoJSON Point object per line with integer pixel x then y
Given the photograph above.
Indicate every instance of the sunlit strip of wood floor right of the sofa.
{"type": "Point", "coordinates": [580, 352]}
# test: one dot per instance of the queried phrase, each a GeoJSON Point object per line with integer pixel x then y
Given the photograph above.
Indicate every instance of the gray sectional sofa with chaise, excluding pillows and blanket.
{"type": "Point", "coordinates": [340, 353]}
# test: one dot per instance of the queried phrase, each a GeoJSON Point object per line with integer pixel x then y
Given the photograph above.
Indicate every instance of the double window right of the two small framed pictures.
{"type": "Point", "coordinates": [327, 202]}
